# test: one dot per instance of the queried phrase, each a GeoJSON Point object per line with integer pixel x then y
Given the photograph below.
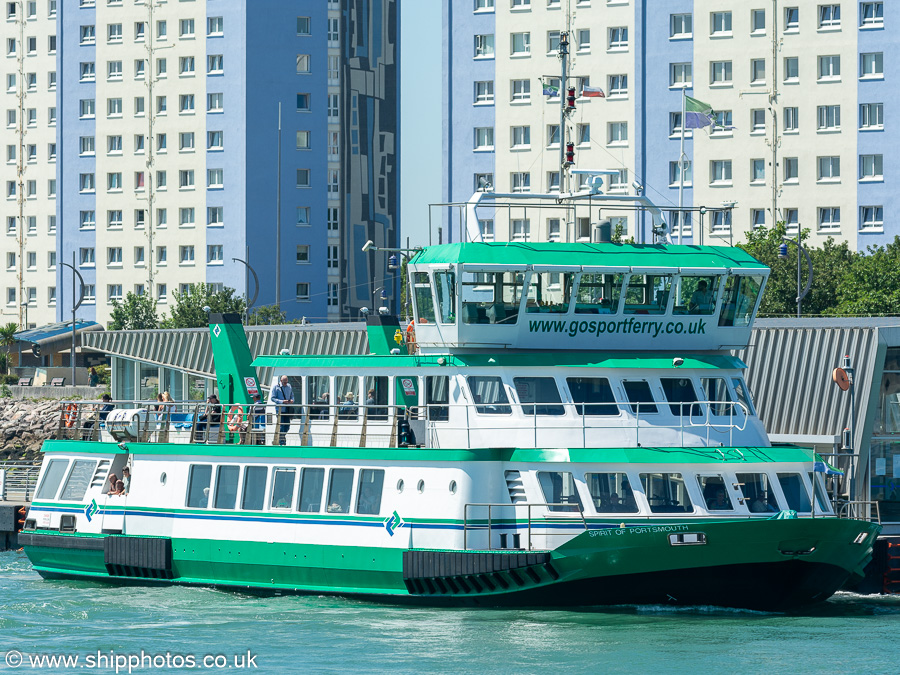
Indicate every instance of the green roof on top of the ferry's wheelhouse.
{"type": "Point", "coordinates": [522, 254]}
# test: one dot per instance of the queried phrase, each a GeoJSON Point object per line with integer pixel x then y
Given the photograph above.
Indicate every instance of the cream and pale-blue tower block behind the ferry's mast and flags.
{"type": "Point", "coordinates": [797, 87]}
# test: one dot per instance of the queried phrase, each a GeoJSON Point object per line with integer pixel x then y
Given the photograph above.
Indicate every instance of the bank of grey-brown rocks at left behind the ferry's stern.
{"type": "Point", "coordinates": [25, 425]}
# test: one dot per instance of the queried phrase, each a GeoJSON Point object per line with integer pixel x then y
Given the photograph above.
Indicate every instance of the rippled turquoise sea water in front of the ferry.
{"type": "Point", "coordinates": [171, 628]}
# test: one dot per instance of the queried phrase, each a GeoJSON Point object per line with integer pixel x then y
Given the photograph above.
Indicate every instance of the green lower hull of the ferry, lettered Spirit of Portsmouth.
{"type": "Point", "coordinates": [760, 564]}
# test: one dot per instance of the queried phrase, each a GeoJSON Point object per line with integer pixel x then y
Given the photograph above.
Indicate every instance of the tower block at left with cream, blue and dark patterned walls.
{"type": "Point", "coordinates": [193, 136]}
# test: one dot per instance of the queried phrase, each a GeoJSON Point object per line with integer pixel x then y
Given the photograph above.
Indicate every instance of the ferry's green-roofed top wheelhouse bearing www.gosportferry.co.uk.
{"type": "Point", "coordinates": [550, 296]}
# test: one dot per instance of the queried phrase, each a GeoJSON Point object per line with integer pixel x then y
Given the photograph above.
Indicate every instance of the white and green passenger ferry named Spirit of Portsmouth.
{"type": "Point", "coordinates": [569, 427]}
